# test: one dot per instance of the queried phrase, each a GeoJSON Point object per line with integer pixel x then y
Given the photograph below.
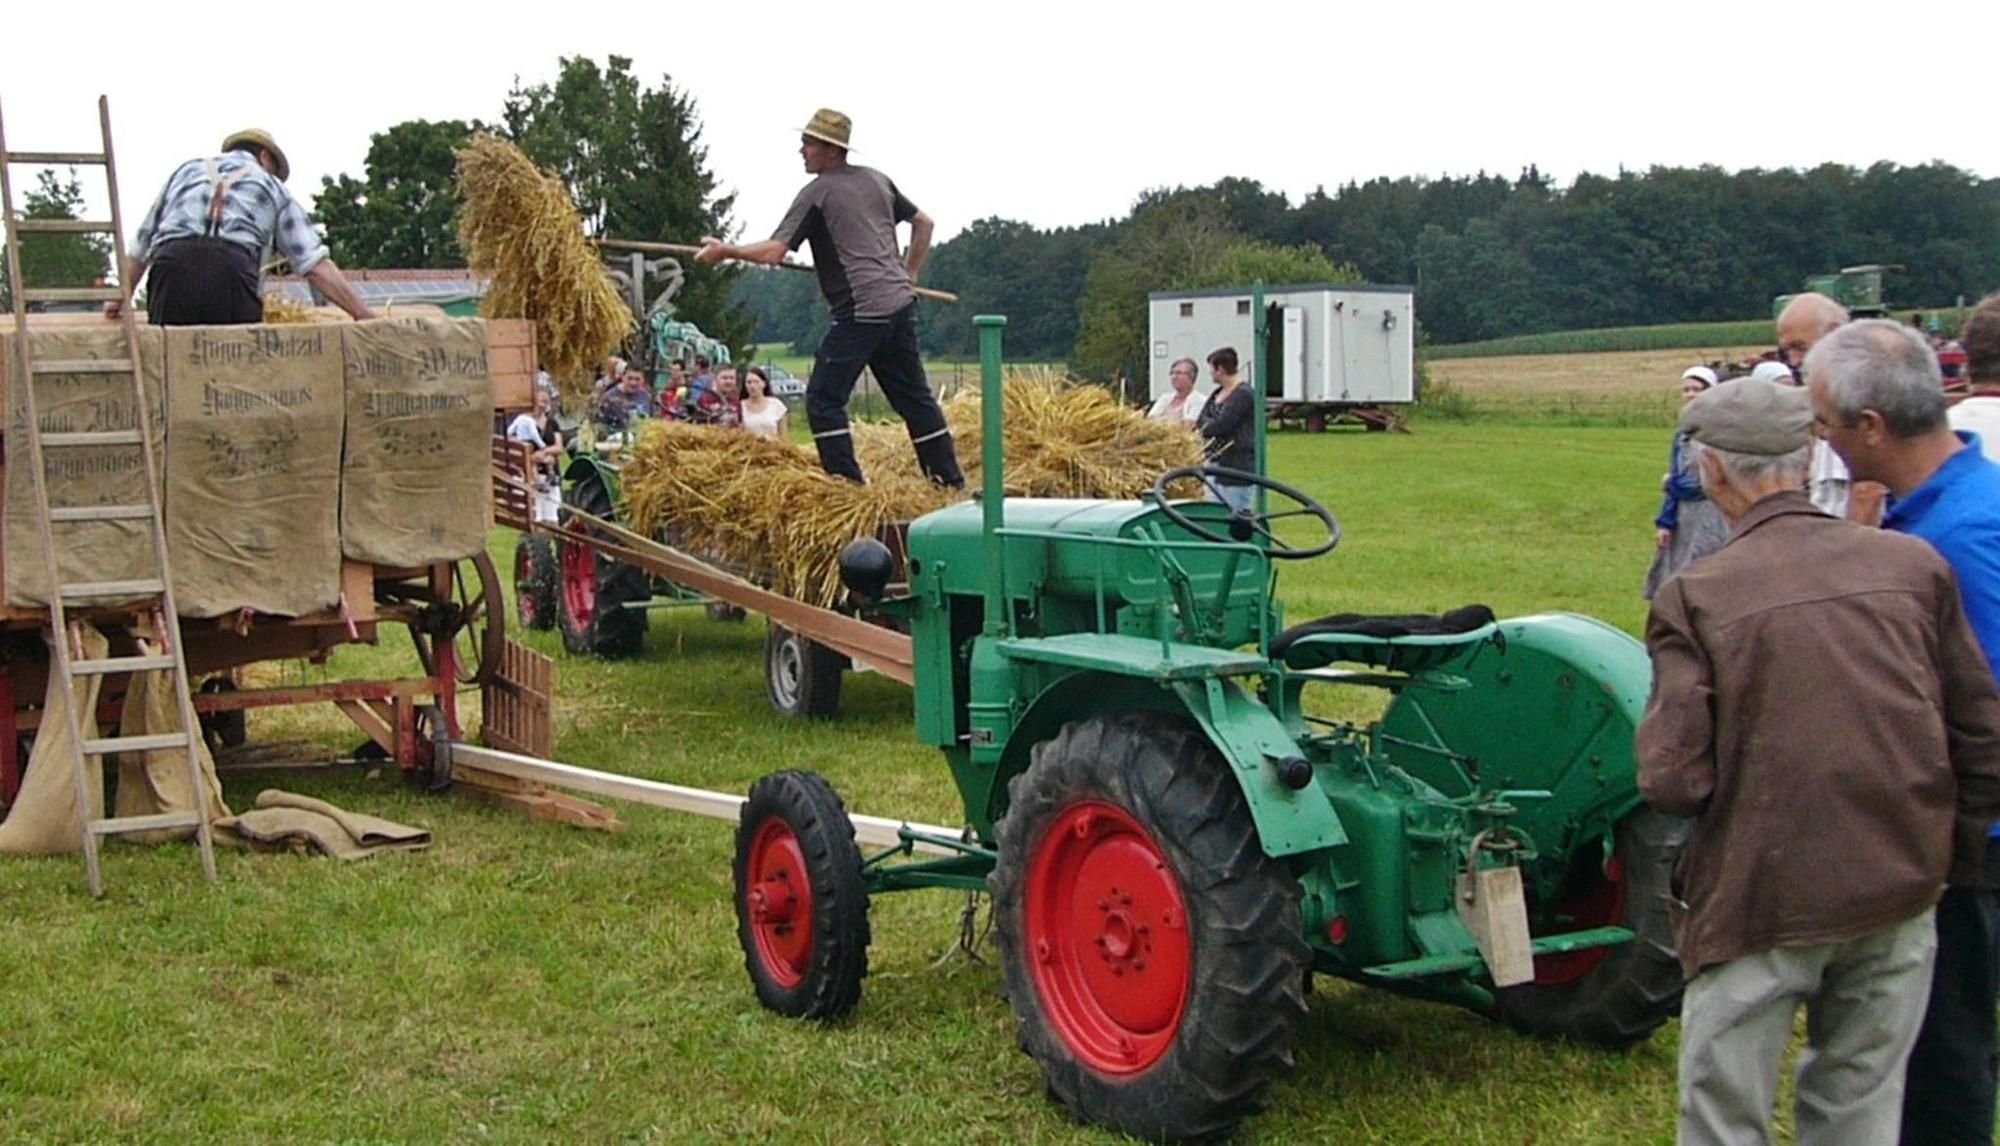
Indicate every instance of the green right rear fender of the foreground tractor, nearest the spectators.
{"type": "Point", "coordinates": [1553, 707]}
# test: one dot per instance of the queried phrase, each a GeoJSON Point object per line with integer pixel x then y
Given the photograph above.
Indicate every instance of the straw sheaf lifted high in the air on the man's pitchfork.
{"type": "Point", "coordinates": [521, 231]}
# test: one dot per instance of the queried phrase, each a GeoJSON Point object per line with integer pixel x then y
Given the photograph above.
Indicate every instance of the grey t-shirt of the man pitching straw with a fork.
{"type": "Point", "coordinates": [849, 215]}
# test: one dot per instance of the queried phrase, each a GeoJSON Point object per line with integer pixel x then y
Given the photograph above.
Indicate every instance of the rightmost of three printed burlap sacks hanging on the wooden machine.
{"type": "Point", "coordinates": [415, 487]}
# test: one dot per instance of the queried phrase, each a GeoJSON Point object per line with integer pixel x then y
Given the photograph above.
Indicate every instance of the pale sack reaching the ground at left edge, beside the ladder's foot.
{"type": "Point", "coordinates": [45, 819]}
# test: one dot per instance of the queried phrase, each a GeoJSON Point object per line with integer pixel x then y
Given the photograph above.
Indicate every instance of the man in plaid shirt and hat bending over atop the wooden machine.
{"type": "Point", "coordinates": [207, 237]}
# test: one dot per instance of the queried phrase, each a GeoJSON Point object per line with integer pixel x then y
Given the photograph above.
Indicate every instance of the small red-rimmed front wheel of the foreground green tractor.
{"type": "Point", "coordinates": [801, 901]}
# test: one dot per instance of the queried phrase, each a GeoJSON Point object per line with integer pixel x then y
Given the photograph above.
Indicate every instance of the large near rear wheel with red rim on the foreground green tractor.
{"type": "Point", "coordinates": [1149, 947]}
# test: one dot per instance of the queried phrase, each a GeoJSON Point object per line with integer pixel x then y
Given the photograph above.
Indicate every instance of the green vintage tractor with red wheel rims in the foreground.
{"type": "Point", "coordinates": [1175, 841]}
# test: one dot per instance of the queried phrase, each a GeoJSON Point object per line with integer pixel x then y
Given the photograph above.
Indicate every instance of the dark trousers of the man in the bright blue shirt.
{"type": "Point", "coordinates": [1949, 1097]}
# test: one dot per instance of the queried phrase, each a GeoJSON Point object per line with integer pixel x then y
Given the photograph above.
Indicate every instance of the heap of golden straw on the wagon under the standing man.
{"type": "Point", "coordinates": [769, 511]}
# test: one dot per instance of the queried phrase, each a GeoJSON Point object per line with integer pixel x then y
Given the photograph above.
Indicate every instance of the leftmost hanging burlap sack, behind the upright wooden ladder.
{"type": "Point", "coordinates": [79, 475]}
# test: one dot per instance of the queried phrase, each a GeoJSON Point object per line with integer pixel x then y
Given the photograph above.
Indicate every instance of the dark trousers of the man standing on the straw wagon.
{"type": "Point", "coordinates": [889, 349]}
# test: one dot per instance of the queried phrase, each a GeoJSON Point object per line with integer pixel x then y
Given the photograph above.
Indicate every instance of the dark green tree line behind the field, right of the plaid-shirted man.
{"type": "Point", "coordinates": [1487, 255]}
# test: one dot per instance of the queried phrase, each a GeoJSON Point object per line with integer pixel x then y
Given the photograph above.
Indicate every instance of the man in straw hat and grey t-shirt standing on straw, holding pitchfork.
{"type": "Point", "coordinates": [849, 215]}
